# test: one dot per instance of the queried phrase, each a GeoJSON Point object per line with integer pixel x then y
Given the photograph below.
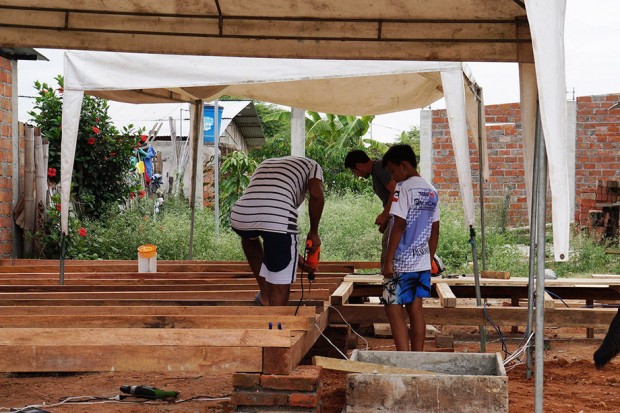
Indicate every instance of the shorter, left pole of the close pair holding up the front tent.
{"type": "Point", "coordinates": [532, 259]}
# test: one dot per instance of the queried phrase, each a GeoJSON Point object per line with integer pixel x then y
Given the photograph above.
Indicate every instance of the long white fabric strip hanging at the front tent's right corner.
{"type": "Point", "coordinates": [547, 25]}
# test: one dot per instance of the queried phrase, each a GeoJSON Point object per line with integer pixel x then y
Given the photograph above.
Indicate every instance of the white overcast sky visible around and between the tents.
{"type": "Point", "coordinates": [592, 44]}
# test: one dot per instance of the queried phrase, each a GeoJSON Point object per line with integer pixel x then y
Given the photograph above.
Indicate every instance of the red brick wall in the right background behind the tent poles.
{"type": "Point", "coordinates": [597, 157]}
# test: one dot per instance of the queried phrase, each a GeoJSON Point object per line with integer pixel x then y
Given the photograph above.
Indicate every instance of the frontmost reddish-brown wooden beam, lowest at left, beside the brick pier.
{"type": "Point", "coordinates": [182, 358]}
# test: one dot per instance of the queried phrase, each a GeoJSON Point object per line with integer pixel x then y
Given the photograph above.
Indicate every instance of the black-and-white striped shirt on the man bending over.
{"type": "Point", "coordinates": [277, 188]}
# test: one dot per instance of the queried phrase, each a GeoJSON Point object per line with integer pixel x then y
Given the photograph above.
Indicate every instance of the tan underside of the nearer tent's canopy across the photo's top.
{"type": "Point", "coordinates": [447, 30]}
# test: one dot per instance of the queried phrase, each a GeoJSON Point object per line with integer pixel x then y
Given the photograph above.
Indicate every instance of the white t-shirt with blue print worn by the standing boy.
{"type": "Point", "coordinates": [416, 201]}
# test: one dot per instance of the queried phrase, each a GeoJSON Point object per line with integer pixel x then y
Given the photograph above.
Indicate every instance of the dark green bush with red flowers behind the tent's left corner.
{"type": "Point", "coordinates": [102, 156]}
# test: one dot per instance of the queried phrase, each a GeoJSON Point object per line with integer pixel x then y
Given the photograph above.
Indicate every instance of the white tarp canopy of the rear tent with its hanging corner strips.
{"type": "Point", "coordinates": [330, 86]}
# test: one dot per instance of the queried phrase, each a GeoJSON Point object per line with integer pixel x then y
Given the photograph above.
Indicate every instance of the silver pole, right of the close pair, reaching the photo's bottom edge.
{"type": "Point", "coordinates": [541, 203]}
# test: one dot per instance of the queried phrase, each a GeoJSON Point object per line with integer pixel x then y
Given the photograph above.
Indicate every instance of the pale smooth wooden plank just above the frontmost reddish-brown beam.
{"type": "Point", "coordinates": [149, 337]}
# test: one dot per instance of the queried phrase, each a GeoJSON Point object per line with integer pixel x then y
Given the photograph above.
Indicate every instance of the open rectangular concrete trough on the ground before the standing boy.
{"type": "Point", "coordinates": [465, 382]}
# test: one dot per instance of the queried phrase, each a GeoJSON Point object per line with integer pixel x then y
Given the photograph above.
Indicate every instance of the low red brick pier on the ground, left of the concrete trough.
{"type": "Point", "coordinates": [299, 391]}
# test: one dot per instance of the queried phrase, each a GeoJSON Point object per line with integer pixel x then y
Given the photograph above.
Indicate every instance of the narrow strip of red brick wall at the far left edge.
{"type": "Point", "coordinates": [6, 158]}
